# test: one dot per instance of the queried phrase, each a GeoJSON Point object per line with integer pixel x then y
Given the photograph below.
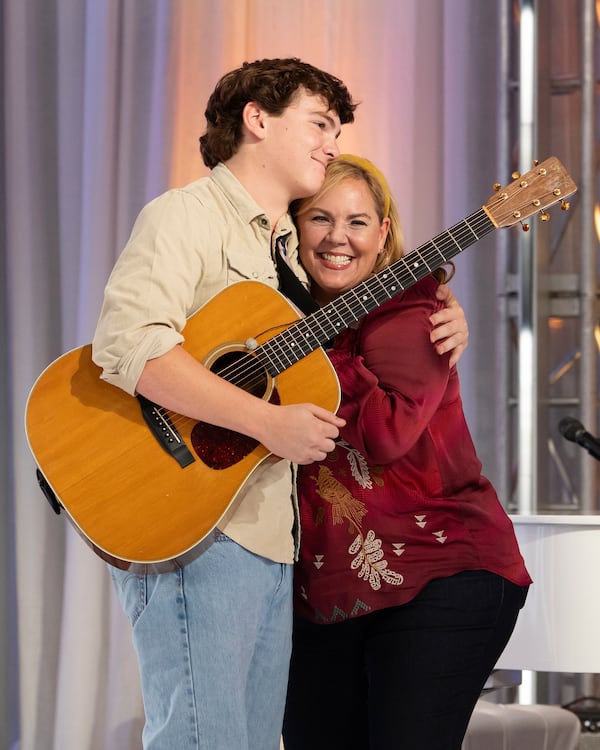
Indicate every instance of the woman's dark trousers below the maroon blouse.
{"type": "Point", "coordinates": [404, 678]}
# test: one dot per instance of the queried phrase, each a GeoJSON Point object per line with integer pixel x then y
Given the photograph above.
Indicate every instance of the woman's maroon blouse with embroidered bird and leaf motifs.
{"type": "Point", "coordinates": [401, 500]}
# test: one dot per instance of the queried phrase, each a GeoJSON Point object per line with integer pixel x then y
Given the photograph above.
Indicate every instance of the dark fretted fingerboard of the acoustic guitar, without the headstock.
{"type": "Point", "coordinates": [307, 334]}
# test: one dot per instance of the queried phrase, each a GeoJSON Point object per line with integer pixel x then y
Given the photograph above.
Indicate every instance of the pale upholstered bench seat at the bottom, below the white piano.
{"type": "Point", "coordinates": [516, 727]}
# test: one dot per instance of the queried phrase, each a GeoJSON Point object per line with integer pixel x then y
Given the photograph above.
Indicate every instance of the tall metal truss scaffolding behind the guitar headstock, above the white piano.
{"type": "Point", "coordinates": [548, 277]}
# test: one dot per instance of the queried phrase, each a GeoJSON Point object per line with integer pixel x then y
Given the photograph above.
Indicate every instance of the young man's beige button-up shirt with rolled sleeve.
{"type": "Point", "coordinates": [186, 246]}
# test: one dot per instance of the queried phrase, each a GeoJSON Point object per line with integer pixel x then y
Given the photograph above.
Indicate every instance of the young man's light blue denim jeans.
{"type": "Point", "coordinates": [213, 642]}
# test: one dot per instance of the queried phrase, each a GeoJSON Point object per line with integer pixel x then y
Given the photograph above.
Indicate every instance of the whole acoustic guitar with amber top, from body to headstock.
{"type": "Point", "coordinates": [145, 486]}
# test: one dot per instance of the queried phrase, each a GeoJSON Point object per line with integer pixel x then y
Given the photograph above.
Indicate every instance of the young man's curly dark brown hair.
{"type": "Point", "coordinates": [272, 84]}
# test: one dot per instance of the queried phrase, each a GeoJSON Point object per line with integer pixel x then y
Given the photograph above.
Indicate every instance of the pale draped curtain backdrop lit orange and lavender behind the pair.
{"type": "Point", "coordinates": [102, 107]}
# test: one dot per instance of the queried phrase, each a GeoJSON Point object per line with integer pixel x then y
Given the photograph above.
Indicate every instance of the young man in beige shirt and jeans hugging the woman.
{"type": "Point", "coordinates": [213, 638]}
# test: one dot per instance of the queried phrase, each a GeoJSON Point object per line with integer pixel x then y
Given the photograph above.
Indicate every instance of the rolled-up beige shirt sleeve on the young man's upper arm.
{"type": "Point", "coordinates": [151, 291]}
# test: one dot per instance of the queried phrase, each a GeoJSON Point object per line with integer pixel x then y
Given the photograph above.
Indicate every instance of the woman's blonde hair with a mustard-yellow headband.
{"type": "Point", "coordinates": [348, 167]}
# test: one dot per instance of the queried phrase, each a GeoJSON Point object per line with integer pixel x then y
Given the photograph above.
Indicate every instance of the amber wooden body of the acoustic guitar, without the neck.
{"type": "Point", "coordinates": [128, 497]}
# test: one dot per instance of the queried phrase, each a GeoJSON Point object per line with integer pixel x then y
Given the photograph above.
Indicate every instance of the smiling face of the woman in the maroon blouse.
{"type": "Point", "coordinates": [340, 238]}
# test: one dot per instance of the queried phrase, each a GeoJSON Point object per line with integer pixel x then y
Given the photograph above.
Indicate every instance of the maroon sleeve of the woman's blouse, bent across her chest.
{"type": "Point", "coordinates": [392, 380]}
